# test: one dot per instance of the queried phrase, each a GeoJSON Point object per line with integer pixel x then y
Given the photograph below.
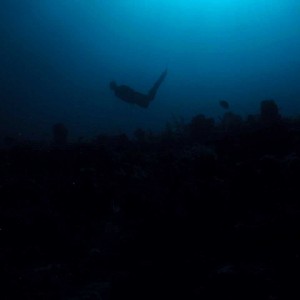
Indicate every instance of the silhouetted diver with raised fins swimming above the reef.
{"type": "Point", "coordinates": [129, 95]}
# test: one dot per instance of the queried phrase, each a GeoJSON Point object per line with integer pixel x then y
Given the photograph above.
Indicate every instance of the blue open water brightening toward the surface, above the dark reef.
{"type": "Point", "coordinates": [58, 56]}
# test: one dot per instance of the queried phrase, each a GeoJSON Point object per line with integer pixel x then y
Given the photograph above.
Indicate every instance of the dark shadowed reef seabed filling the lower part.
{"type": "Point", "coordinates": [201, 211]}
